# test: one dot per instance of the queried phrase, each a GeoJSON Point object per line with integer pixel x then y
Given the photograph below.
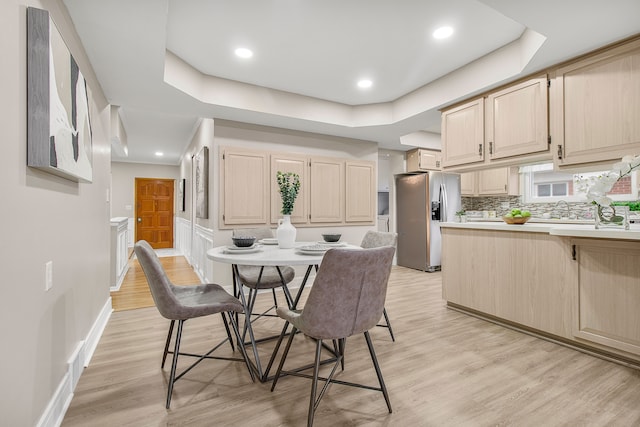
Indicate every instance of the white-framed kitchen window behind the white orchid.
{"type": "Point", "coordinates": [541, 184]}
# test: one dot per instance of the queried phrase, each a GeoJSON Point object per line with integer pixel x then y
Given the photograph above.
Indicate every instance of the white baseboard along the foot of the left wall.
{"type": "Point", "coordinates": [61, 399]}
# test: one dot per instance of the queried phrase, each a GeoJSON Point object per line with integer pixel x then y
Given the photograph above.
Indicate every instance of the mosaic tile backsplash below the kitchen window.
{"type": "Point", "coordinates": [503, 204]}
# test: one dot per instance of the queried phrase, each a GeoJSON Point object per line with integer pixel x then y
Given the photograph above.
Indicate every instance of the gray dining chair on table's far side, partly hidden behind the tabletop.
{"type": "Point", "coordinates": [257, 278]}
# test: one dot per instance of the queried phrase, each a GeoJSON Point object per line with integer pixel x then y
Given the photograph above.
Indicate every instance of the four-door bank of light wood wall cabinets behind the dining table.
{"type": "Point", "coordinates": [333, 191]}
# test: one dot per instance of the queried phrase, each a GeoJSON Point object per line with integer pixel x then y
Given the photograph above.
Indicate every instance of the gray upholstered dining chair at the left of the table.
{"type": "Point", "coordinates": [187, 302]}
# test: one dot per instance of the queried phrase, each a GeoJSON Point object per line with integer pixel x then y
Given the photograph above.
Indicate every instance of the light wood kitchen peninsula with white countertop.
{"type": "Point", "coordinates": [567, 282]}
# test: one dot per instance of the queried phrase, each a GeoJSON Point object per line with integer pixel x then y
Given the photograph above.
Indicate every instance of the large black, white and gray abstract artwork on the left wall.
{"type": "Point", "coordinates": [59, 135]}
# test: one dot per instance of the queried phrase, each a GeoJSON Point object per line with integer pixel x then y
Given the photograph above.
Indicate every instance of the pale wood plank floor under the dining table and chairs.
{"type": "Point", "coordinates": [445, 369]}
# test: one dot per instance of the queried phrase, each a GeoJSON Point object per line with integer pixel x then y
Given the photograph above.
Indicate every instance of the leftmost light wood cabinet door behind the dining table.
{"type": "Point", "coordinates": [244, 178]}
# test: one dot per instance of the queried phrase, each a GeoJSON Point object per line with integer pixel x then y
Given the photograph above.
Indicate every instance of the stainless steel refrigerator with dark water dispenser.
{"type": "Point", "coordinates": [423, 200]}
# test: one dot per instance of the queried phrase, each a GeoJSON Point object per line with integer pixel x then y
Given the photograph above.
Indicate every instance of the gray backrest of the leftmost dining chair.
{"type": "Point", "coordinates": [159, 284]}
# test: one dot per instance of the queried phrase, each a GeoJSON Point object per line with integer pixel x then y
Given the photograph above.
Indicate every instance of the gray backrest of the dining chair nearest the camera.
{"type": "Point", "coordinates": [348, 292]}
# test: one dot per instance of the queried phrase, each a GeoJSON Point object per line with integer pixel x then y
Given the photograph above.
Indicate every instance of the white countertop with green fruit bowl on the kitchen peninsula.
{"type": "Point", "coordinates": [569, 230]}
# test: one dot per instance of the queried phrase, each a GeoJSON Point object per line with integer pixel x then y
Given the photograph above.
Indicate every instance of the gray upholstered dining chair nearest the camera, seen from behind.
{"type": "Point", "coordinates": [347, 298]}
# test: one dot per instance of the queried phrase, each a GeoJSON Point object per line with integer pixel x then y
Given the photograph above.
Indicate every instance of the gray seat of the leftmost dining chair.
{"type": "Point", "coordinates": [202, 300]}
